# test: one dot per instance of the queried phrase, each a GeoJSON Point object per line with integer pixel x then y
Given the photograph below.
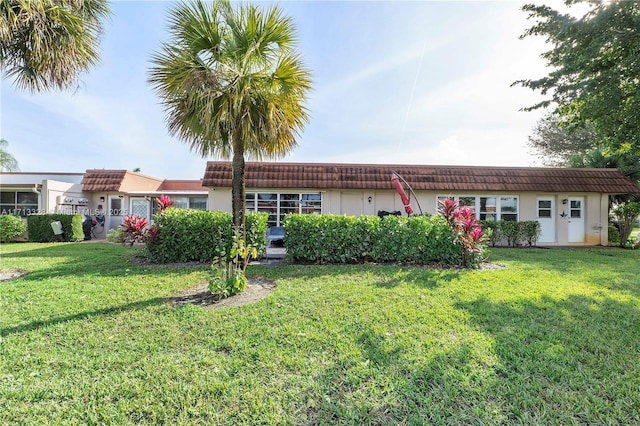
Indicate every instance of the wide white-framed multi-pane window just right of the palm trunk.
{"type": "Point", "coordinates": [278, 205]}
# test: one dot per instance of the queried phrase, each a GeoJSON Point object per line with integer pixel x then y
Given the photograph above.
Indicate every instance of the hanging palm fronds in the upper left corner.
{"type": "Point", "coordinates": [46, 44]}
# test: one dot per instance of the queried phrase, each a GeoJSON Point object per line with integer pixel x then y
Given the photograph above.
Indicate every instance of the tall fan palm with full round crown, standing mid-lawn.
{"type": "Point", "coordinates": [232, 85]}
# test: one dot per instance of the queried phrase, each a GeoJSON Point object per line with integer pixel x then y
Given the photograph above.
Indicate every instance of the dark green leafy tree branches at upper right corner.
{"type": "Point", "coordinates": [595, 65]}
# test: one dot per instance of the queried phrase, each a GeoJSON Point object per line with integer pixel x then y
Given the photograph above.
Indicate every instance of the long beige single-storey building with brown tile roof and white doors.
{"type": "Point", "coordinates": [570, 204]}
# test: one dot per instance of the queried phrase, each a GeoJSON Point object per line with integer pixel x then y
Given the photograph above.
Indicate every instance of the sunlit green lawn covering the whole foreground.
{"type": "Point", "coordinates": [552, 338]}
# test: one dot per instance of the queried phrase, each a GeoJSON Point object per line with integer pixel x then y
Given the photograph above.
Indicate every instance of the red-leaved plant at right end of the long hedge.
{"type": "Point", "coordinates": [467, 231]}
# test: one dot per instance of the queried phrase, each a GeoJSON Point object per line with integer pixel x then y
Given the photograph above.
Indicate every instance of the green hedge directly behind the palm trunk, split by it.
{"type": "Point", "coordinates": [195, 235]}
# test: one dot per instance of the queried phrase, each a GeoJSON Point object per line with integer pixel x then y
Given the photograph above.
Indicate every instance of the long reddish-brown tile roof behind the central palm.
{"type": "Point", "coordinates": [438, 178]}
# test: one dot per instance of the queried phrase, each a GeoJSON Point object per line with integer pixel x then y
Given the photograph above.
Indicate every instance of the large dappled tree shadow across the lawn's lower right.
{"type": "Point", "coordinates": [570, 361]}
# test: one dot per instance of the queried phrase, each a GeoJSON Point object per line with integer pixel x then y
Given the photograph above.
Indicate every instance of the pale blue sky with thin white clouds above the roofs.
{"type": "Point", "coordinates": [394, 82]}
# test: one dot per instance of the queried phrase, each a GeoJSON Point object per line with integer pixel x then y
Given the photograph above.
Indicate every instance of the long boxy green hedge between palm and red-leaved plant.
{"type": "Point", "coordinates": [350, 239]}
